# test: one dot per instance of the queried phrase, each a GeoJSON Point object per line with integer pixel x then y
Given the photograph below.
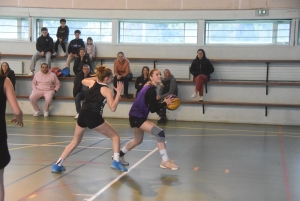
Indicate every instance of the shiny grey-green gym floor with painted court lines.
{"type": "Point", "coordinates": [218, 162]}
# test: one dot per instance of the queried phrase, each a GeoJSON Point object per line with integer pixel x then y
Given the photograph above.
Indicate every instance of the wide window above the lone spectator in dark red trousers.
{"type": "Point", "coordinates": [248, 32]}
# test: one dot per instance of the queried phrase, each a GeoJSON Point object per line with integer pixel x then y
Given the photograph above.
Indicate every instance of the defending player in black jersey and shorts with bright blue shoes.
{"type": "Point", "coordinates": [90, 116]}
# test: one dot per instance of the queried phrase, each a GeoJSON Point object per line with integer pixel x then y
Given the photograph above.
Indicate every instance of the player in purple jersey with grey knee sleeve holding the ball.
{"type": "Point", "coordinates": [146, 101]}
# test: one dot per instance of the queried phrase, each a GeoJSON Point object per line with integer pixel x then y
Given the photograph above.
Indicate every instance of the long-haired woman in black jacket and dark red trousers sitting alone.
{"type": "Point", "coordinates": [201, 69]}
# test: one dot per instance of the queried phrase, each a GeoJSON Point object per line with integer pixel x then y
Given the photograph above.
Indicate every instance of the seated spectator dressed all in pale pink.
{"type": "Point", "coordinates": [44, 84]}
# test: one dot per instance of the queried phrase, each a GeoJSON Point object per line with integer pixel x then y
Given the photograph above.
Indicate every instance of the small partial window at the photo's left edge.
{"type": "Point", "coordinates": [14, 28]}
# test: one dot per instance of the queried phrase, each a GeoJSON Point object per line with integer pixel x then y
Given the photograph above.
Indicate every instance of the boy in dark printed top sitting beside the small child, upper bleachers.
{"type": "Point", "coordinates": [74, 47]}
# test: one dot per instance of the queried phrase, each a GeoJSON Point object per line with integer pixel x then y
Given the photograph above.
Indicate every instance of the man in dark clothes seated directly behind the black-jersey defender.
{"type": "Point", "coordinates": [79, 89]}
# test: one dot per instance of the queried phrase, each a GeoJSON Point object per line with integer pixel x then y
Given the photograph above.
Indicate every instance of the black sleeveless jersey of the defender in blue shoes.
{"type": "Point", "coordinates": [94, 101]}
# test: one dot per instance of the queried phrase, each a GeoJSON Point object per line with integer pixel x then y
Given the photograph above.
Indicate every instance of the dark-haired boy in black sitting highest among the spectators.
{"type": "Point", "coordinates": [62, 37]}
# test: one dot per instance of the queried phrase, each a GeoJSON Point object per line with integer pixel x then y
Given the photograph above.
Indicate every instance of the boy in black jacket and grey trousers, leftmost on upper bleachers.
{"type": "Point", "coordinates": [44, 46]}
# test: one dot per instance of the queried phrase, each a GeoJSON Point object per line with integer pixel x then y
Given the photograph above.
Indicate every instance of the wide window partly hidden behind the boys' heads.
{"type": "Point", "coordinates": [100, 31]}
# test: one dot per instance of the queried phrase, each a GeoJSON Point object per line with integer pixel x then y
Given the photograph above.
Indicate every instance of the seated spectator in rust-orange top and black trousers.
{"type": "Point", "coordinates": [122, 72]}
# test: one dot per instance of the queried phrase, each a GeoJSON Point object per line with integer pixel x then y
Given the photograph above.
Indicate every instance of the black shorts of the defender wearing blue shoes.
{"type": "Point", "coordinates": [89, 119]}
